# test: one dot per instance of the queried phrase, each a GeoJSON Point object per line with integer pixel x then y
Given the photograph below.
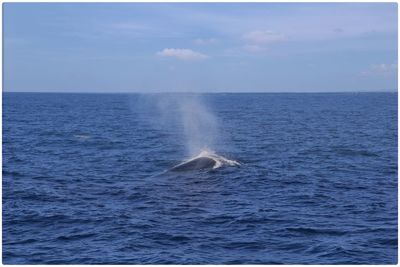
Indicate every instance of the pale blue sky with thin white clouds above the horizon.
{"type": "Point", "coordinates": [199, 47]}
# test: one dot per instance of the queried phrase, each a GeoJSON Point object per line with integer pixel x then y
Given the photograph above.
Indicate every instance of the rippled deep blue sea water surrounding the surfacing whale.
{"type": "Point", "coordinates": [84, 181]}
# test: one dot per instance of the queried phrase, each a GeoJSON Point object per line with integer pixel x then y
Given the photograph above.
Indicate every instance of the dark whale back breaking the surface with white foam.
{"type": "Point", "coordinates": [205, 160]}
